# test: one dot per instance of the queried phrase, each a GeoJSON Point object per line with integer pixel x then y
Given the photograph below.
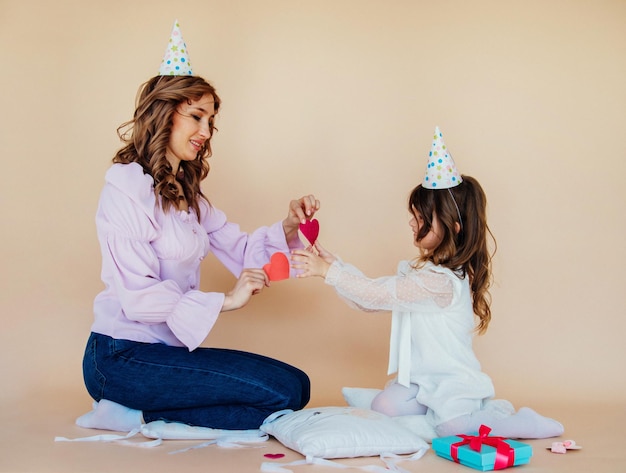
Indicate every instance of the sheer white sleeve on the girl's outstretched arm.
{"type": "Point", "coordinates": [407, 292]}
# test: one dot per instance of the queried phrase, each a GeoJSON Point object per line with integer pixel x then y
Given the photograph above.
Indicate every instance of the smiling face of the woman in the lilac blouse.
{"type": "Point", "coordinates": [190, 130]}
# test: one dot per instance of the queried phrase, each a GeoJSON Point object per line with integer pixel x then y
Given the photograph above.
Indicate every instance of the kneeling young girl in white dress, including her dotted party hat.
{"type": "Point", "coordinates": [433, 300]}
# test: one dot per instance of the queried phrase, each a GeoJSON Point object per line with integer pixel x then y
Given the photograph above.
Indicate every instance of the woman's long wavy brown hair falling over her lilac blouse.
{"type": "Point", "coordinates": [147, 135]}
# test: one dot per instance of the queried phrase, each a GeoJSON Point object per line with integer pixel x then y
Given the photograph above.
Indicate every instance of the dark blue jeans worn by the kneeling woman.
{"type": "Point", "coordinates": [208, 387]}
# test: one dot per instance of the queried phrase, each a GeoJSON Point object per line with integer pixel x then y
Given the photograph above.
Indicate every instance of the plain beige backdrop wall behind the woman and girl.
{"type": "Point", "coordinates": [338, 98]}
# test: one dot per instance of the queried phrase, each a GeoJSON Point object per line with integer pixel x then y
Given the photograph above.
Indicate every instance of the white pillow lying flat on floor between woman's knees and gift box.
{"type": "Point", "coordinates": [342, 432]}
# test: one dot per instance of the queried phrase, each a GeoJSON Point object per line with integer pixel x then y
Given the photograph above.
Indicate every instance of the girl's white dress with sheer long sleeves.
{"type": "Point", "coordinates": [432, 329]}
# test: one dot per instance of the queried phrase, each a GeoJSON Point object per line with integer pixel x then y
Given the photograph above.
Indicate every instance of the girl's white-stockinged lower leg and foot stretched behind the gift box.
{"type": "Point", "coordinates": [525, 424]}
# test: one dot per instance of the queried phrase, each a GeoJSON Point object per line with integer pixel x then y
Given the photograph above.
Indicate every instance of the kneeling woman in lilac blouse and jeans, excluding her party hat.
{"type": "Point", "coordinates": [143, 361]}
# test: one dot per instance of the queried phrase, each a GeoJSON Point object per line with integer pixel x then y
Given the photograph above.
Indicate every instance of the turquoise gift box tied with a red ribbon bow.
{"type": "Point", "coordinates": [475, 451]}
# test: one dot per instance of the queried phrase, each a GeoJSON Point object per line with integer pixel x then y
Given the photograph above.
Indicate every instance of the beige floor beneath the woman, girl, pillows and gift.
{"type": "Point", "coordinates": [29, 427]}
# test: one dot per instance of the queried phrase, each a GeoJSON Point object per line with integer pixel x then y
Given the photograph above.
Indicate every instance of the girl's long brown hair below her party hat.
{"type": "Point", "coordinates": [465, 252]}
